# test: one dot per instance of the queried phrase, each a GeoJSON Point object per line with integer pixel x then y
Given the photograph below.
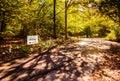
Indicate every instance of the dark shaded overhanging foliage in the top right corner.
{"type": "Point", "coordinates": [110, 8]}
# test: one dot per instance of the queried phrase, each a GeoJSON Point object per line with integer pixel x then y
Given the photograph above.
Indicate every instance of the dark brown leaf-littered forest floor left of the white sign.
{"type": "Point", "coordinates": [15, 44]}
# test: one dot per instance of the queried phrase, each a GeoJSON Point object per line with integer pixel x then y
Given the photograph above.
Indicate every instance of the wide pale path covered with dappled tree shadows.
{"type": "Point", "coordinates": [87, 60]}
